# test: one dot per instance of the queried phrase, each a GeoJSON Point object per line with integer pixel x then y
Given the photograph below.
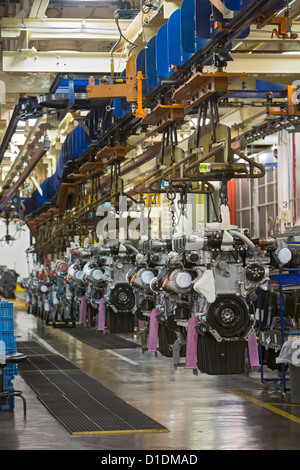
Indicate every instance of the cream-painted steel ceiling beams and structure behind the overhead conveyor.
{"type": "Point", "coordinates": [41, 39]}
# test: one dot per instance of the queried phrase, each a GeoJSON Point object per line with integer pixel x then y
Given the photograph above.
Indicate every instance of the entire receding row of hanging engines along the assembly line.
{"type": "Point", "coordinates": [210, 275]}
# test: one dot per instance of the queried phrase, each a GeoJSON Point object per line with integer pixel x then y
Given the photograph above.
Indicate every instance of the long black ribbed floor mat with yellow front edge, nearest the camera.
{"type": "Point", "coordinates": [80, 403]}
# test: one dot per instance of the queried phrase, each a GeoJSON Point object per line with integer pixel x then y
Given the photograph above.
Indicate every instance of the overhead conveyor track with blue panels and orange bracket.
{"type": "Point", "coordinates": [196, 35]}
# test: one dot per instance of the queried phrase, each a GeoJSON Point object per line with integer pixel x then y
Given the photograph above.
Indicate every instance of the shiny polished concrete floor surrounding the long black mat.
{"type": "Point", "coordinates": [201, 412]}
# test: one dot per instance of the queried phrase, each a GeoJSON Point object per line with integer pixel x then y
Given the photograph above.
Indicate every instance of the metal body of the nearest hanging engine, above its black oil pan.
{"type": "Point", "coordinates": [214, 276]}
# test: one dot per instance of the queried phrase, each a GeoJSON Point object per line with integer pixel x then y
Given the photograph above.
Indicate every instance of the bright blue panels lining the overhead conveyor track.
{"type": "Point", "coordinates": [195, 35]}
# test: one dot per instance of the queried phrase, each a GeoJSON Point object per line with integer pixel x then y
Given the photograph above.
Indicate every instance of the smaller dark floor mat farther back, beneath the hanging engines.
{"type": "Point", "coordinates": [99, 340]}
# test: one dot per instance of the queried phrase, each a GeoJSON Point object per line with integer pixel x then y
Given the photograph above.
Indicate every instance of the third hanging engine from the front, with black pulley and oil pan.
{"type": "Point", "coordinates": [98, 274]}
